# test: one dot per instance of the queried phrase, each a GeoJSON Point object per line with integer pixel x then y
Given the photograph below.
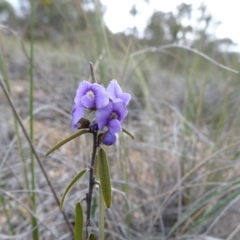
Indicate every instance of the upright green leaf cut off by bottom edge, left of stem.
{"type": "Point", "coordinates": [78, 229]}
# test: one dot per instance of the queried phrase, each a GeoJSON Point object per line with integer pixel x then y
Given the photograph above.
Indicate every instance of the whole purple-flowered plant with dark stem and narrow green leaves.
{"type": "Point", "coordinates": [109, 107]}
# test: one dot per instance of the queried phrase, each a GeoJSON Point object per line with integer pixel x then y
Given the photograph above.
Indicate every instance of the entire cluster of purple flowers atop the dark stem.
{"type": "Point", "coordinates": [110, 106]}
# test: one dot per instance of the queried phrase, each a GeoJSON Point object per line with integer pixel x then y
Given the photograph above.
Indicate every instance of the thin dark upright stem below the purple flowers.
{"type": "Point", "coordinates": [91, 182]}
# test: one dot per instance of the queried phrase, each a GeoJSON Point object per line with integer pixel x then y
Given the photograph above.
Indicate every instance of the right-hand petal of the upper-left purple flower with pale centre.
{"type": "Point", "coordinates": [101, 97]}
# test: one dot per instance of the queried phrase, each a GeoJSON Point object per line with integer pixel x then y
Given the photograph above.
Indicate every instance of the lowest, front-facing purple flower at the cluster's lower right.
{"type": "Point", "coordinates": [111, 116]}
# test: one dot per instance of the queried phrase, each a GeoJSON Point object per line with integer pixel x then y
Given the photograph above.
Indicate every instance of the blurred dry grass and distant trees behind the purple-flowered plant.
{"type": "Point", "coordinates": [179, 179]}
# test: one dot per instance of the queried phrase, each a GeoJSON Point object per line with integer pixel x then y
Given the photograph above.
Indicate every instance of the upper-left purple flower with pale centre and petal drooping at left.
{"type": "Point", "coordinates": [90, 96]}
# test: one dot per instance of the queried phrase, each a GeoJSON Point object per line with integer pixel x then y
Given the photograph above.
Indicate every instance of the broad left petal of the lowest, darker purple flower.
{"type": "Point", "coordinates": [102, 115]}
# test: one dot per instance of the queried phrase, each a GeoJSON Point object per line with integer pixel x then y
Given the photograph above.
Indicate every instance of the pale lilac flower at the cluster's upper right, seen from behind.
{"type": "Point", "coordinates": [115, 92]}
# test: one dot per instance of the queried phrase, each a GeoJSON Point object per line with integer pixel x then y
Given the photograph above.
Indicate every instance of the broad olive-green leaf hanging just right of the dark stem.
{"type": "Point", "coordinates": [104, 176]}
